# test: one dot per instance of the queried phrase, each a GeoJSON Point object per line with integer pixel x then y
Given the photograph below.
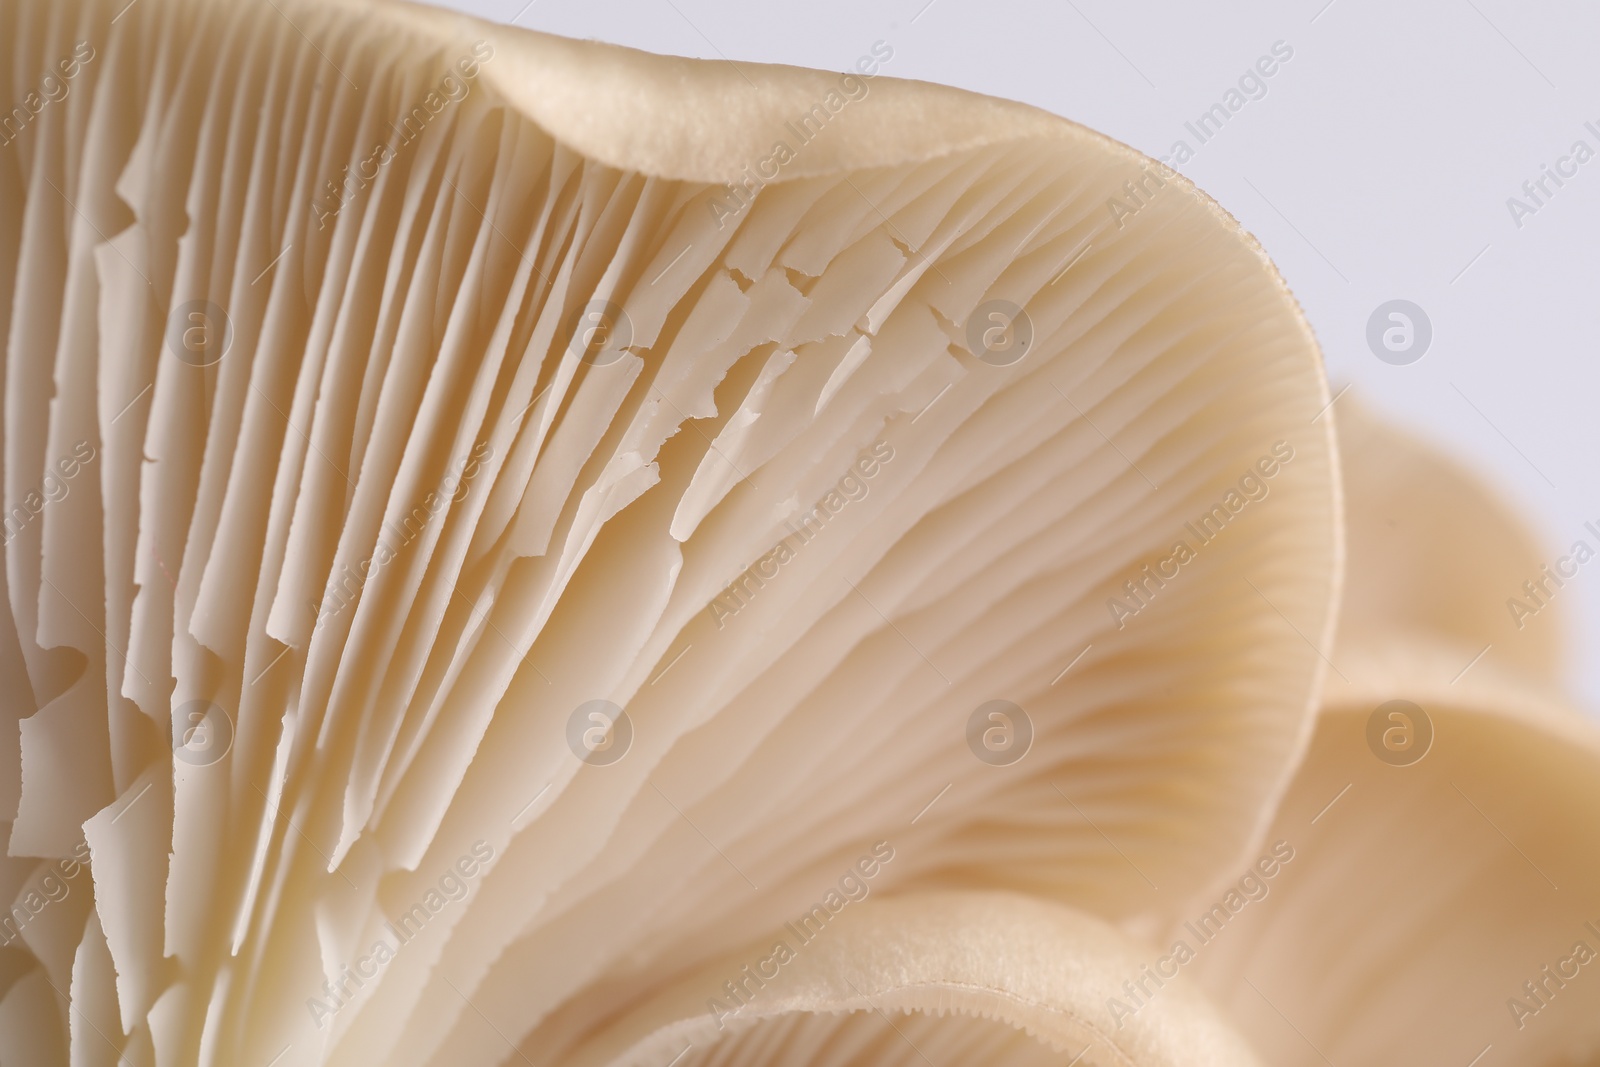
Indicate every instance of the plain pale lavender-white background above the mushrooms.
{"type": "Point", "coordinates": [1377, 167]}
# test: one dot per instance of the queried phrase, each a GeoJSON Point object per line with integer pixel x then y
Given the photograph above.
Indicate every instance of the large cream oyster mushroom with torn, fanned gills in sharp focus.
{"type": "Point", "coordinates": [537, 535]}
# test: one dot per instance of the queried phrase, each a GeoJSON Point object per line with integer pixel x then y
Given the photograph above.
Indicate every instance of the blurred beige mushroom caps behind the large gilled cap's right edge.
{"type": "Point", "coordinates": [1444, 900]}
